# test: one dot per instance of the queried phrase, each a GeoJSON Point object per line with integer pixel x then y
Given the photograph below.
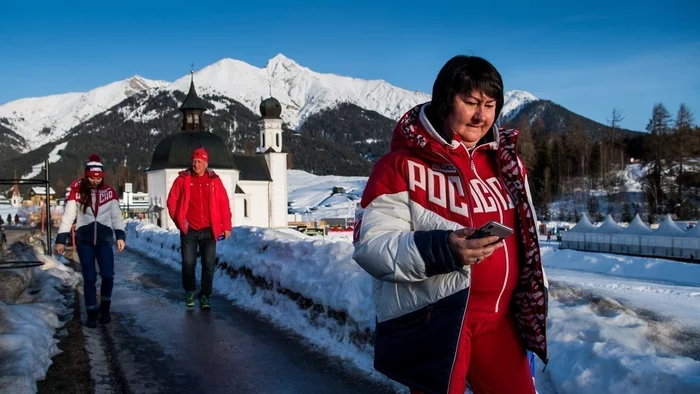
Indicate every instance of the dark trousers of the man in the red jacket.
{"type": "Point", "coordinates": [207, 247]}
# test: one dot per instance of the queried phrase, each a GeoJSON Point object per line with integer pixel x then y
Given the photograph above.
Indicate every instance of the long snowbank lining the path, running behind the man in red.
{"type": "Point", "coordinates": [318, 270]}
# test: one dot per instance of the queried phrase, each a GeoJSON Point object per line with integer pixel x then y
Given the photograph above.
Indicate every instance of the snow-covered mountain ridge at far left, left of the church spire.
{"type": "Point", "coordinates": [44, 119]}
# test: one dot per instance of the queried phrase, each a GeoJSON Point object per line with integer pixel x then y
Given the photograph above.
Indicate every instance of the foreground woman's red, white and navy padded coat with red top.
{"type": "Point", "coordinates": [417, 194]}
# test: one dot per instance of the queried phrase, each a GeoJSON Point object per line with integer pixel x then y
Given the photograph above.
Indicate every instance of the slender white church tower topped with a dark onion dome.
{"type": "Point", "coordinates": [270, 125]}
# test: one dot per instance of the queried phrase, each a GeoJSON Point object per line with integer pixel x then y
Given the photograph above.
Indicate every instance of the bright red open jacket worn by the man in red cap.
{"type": "Point", "coordinates": [219, 207]}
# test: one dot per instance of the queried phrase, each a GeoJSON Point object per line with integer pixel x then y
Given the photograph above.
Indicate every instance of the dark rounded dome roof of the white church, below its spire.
{"type": "Point", "coordinates": [175, 151]}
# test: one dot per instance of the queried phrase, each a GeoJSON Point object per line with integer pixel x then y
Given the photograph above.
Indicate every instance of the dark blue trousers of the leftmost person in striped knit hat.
{"type": "Point", "coordinates": [105, 259]}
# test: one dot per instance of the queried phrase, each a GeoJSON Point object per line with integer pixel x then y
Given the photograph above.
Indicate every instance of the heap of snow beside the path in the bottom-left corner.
{"type": "Point", "coordinates": [27, 328]}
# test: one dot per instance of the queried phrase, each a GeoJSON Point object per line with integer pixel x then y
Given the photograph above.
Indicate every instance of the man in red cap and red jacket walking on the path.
{"type": "Point", "coordinates": [199, 206]}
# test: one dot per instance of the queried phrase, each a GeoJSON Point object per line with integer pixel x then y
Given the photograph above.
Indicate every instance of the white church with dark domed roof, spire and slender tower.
{"type": "Point", "coordinates": [256, 184]}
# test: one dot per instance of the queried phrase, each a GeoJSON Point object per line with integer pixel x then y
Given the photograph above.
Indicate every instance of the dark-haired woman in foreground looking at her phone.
{"type": "Point", "coordinates": [453, 310]}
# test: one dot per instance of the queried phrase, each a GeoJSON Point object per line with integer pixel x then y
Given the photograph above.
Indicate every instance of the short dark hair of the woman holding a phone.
{"type": "Point", "coordinates": [462, 74]}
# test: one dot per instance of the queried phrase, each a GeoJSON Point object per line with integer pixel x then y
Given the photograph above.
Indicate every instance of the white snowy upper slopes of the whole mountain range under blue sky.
{"type": "Point", "coordinates": [301, 91]}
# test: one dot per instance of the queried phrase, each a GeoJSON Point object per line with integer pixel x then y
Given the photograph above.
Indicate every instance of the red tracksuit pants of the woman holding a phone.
{"type": "Point", "coordinates": [498, 363]}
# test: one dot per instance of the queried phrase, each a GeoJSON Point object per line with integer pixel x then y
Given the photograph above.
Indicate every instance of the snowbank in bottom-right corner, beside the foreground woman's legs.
{"type": "Point", "coordinates": [600, 347]}
